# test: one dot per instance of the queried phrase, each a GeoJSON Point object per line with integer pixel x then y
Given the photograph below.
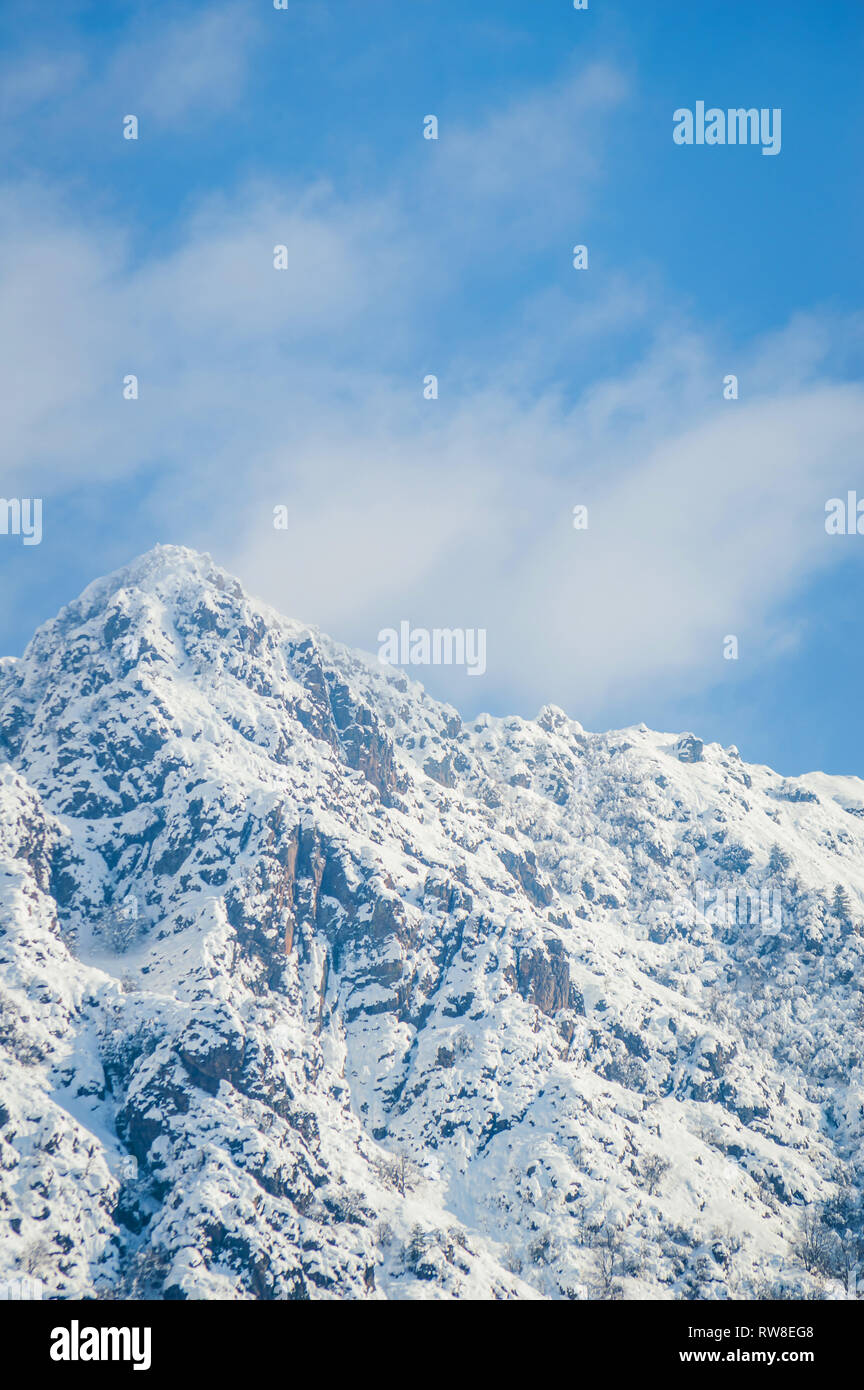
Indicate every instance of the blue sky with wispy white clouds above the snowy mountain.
{"type": "Point", "coordinates": [305, 127]}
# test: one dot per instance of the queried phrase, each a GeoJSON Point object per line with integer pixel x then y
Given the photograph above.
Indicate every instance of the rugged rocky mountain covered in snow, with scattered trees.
{"type": "Point", "coordinates": [312, 990]}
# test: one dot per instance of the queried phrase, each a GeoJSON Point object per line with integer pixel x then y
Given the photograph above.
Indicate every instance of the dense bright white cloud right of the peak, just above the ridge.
{"type": "Point", "coordinates": [695, 532]}
